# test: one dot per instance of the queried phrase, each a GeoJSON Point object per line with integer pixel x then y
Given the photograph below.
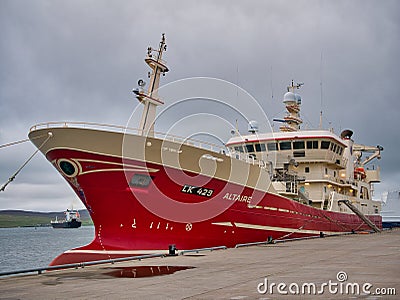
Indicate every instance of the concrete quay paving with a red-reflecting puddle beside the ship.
{"type": "Point", "coordinates": [234, 273]}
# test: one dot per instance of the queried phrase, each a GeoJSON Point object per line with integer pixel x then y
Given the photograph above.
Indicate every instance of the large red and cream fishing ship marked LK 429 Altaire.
{"type": "Point", "coordinates": [146, 191]}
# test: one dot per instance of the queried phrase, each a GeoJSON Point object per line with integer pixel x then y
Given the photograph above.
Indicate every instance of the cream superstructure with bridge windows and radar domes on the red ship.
{"type": "Point", "coordinates": [315, 167]}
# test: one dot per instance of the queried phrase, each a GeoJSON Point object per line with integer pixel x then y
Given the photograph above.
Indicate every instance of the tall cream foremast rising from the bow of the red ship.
{"type": "Point", "coordinates": [150, 98]}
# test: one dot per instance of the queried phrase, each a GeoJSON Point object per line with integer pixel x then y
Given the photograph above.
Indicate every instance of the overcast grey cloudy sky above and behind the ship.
{"type": "Point", "coordinates": [79, 60]}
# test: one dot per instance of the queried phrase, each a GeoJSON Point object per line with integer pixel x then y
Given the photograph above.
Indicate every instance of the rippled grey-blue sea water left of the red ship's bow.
{"type": "Point", "coordinates": [35, 247]}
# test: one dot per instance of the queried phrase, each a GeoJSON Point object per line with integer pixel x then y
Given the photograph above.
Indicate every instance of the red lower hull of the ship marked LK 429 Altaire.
{"type": "Point", "coordinates": [134, 220]}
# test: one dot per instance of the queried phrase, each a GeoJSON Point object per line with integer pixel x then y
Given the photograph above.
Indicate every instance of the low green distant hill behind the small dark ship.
{"type": "Point", "coordinates": [23, 218]}
